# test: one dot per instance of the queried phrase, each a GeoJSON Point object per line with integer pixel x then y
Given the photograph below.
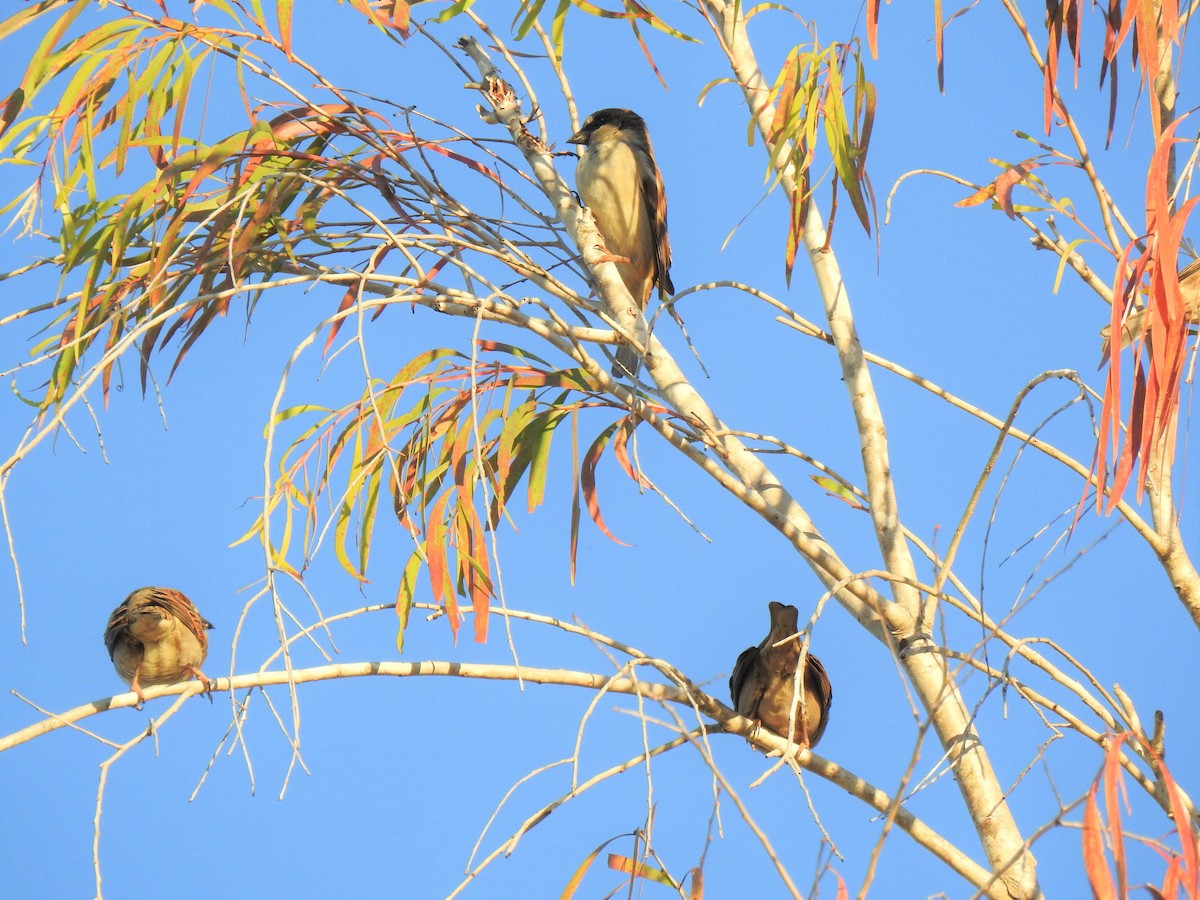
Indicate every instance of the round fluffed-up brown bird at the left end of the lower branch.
{"type": "Point", "coordinates": [158, 637]}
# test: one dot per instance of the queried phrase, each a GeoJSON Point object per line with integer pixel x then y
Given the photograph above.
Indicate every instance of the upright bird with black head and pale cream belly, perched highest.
{"type": "Point", "coordinates": [620, 182]}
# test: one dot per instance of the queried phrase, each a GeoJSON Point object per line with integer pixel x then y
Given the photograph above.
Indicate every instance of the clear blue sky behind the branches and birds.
{"type": "Point", "coordinates": [405, 773]}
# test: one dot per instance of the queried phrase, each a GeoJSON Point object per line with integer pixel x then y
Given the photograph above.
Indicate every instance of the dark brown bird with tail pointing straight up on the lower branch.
{"type": "Point", "coordinates": [764, 685]}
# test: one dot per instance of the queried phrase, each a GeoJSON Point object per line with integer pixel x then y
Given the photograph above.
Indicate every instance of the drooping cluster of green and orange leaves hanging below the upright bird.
{"type": "Point", "coordinates": [449, 440]}
